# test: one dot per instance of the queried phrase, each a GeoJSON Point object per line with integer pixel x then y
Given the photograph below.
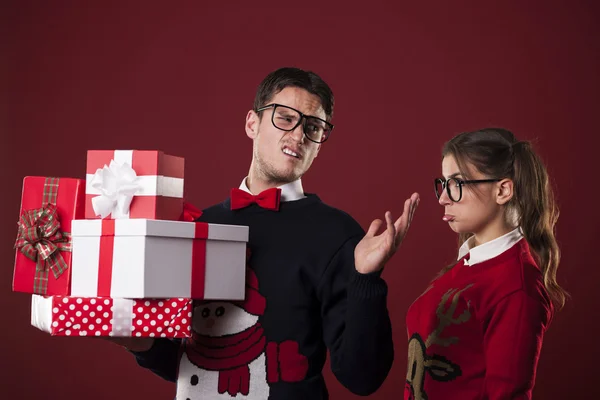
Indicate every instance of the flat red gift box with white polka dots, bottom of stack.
{"type": "Point", "coordinates": [102, 316]}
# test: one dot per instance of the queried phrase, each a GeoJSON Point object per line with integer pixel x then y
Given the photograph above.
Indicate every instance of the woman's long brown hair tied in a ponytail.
{"type": "Point", "coordinates": [496, 153]}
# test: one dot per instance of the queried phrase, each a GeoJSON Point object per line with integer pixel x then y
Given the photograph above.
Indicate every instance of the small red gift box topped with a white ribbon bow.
{"type": "Point", "coordinates": [134, 184]}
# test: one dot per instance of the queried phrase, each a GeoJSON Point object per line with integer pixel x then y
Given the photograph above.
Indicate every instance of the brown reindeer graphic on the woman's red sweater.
{"type": "Point", "coordinates": [420, 363]}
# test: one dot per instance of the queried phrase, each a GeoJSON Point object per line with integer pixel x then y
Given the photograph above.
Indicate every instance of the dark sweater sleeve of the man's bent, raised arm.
{"type": "Point", "coordinates": [356, 323]}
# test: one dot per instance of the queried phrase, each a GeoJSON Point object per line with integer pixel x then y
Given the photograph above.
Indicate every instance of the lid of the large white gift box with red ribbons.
{"type": "Point", "coordinates": [159, 228]}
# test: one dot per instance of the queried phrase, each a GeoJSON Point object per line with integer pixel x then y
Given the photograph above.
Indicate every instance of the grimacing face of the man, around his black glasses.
{"type": "Point", "coordinates": [280, 157]}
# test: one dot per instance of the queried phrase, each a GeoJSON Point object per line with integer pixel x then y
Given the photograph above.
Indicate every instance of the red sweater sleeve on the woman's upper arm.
{"type": "Point", "coordinates": [512, 345]}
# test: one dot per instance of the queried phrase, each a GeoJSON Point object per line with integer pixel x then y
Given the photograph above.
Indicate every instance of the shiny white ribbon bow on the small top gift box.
{"type": "Point", "coordinates": [117, 183]}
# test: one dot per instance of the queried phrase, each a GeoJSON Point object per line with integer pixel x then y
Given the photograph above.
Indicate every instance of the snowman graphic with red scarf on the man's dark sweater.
{"type": "Point", "coordinates": [228, 355]}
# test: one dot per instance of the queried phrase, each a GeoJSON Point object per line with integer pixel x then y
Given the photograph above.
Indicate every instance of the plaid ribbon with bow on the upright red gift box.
{"type": "Point", "coordinates": [41, 240]}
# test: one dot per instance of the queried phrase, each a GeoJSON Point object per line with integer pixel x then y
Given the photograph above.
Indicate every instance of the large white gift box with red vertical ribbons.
{"type": "Point", "coordinates": [144, 258]}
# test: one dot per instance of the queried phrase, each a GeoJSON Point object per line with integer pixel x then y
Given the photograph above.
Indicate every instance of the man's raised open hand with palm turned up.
{"type": "Point", "coordinates": [373, 251]}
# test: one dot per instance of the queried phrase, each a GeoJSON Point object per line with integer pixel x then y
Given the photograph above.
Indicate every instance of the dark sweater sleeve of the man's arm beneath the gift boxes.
{"type": "Point", "coordinates": [162, 358]}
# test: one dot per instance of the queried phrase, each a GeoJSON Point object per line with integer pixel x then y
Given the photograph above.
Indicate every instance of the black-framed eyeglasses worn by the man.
{"type": "Point", "coordinates": [287, 119]}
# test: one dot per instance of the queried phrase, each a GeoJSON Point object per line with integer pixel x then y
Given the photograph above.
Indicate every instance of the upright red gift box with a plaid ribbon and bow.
{"type": "Point", "coordinates": [43, 245]}
